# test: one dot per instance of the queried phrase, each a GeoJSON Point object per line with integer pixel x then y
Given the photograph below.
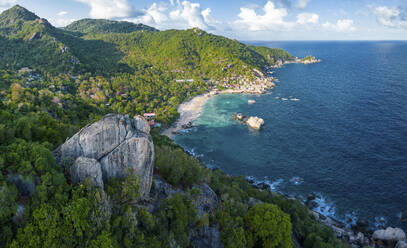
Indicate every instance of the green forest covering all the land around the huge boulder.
{"type": "Point", "coordinates": [55, 81]}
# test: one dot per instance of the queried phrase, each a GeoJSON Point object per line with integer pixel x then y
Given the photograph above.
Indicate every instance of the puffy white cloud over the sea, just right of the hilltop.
{"type": "Point", "coordinates": [272, 19]}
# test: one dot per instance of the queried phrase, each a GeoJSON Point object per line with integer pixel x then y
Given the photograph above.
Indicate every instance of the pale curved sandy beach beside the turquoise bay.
{"type": "Point", "coordinates": [191, 110]}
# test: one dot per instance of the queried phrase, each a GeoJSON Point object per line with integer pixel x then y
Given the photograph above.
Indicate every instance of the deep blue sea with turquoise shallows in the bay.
{"type": "Point", "coordinates": [345, 139]}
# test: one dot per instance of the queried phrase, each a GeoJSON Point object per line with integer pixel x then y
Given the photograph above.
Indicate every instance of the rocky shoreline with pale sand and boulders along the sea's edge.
{"type": "Point", "coordinates": [358, 234]}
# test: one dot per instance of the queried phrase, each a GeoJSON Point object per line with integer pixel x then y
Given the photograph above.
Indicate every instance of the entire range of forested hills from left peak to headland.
{"type": "Point", "coordinates": [108, 47]}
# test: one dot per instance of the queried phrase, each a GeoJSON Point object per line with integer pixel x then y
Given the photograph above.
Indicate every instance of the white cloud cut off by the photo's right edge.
{"type": "Point", "coordinates": [391, 17]}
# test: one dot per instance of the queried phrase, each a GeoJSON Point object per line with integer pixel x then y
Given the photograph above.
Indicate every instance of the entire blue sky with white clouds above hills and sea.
{"type": "Point", "coordinates": [242, 19]}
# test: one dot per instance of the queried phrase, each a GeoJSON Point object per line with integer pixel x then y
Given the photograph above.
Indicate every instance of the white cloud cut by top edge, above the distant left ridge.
{"type": "Point", "coordinates": [108, 8]}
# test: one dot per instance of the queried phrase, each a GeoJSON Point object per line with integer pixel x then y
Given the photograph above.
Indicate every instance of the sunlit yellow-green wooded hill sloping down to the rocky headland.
{"type": "Point", "coordinates": [193, 51]}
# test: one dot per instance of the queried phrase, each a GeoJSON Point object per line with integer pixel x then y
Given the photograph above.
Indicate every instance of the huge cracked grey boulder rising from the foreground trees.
{"type": "Point", "coordinates": [110, 148]}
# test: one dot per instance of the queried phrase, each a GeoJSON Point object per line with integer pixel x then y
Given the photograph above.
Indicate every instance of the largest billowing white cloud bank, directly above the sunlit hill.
{"type": "Point", "coordinates": [178, 14]}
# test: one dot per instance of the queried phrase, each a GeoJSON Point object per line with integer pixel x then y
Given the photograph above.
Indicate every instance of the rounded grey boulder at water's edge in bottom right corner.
{"type": "Point", "coordinates": [388, 237]}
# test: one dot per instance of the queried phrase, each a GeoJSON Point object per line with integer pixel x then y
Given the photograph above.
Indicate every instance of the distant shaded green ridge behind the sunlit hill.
{"type": "Point", "coordinates": [100, 26]}
